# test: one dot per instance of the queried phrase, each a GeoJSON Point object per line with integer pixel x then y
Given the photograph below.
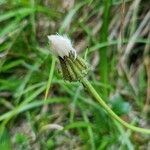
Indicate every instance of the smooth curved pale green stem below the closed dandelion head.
{"type": "Point", "coordinates": [90, 88]}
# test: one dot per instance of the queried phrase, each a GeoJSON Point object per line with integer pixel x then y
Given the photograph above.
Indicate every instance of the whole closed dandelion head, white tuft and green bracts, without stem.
{"type": "Point", "coordinates": [73, 67]}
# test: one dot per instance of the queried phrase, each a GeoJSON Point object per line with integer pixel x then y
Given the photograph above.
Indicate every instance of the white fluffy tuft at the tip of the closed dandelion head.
{"type": "Point", "coordinates": [61, 45]}
